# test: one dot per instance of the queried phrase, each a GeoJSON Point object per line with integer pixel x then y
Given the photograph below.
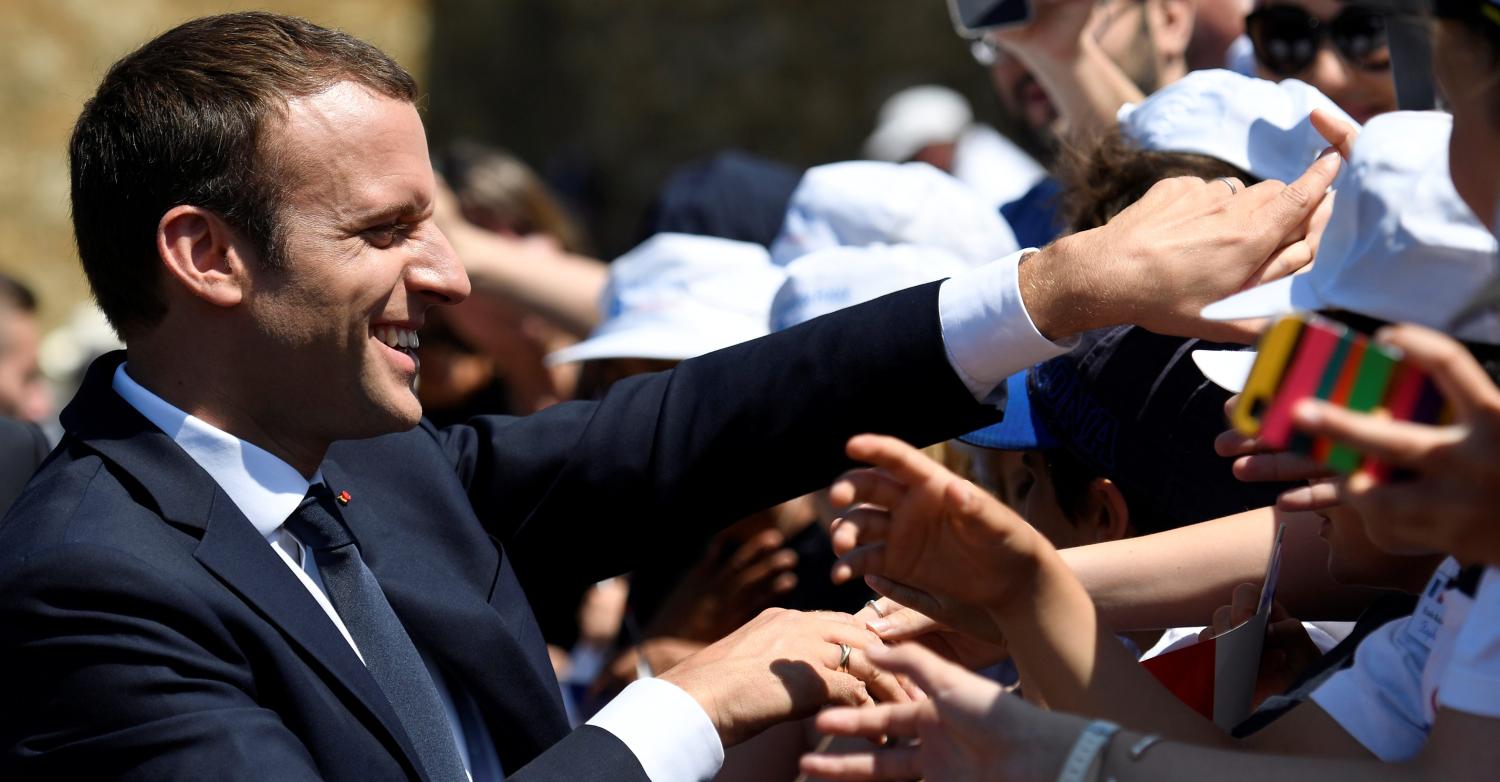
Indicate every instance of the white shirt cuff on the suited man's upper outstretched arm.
{"type": "Point", "coordinates": [986, 329]}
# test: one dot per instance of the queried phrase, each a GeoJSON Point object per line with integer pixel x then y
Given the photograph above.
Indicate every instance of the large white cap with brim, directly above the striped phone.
{"type": "Point", "coordinates": [1400, 247]}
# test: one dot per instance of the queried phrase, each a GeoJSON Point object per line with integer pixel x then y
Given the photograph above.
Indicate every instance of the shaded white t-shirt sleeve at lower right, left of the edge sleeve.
{"type": "Point", "coordinates": [1379, 699]}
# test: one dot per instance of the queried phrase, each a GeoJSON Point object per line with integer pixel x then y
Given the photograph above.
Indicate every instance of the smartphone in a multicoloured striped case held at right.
{"type": "Point", "coordinates": [1309, 356]}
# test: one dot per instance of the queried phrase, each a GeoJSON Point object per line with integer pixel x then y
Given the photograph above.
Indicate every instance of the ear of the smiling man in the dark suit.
{"type": "Point", "coordinates": [203, 254]}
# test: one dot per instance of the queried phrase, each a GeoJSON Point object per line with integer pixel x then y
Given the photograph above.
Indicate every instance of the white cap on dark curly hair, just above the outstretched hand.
{"type": "Point", "coordinates": [1261, 127]}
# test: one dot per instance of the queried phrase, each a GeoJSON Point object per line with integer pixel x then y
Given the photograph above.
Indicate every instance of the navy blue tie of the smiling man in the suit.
{"type": "Point", "coordinates": [389, 652]}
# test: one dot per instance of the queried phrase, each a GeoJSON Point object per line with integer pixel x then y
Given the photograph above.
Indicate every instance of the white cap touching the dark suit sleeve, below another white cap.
{"type": "Point", "coordinates": [835, 278]}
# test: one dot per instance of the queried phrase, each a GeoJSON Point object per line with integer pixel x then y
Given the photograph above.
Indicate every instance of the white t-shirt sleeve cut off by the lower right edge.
{"type": "Point", "coordinates": [1472, 681]}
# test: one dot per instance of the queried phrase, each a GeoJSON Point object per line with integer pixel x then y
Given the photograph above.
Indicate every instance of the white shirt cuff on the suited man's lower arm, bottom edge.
{"type": "Point", "coordinates": [667, 730]}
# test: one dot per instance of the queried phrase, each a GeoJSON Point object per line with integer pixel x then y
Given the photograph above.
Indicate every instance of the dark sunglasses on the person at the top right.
{"type": "Point", "coordinates": [1288, 38]}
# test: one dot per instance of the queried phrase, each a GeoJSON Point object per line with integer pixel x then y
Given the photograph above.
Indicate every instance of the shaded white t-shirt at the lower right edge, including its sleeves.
{"type": "Point", "coordinates": [1445, 655]}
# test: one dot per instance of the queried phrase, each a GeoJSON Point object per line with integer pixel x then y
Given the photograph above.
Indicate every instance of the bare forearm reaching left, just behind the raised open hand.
{"type": "Point", "coordinates": [1180, 577]}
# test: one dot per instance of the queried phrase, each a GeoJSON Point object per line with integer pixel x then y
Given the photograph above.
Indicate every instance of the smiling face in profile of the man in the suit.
{"type": "Point", "coordinates": [364, 262]}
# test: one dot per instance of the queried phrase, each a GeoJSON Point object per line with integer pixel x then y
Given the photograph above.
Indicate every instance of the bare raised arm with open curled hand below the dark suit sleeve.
{"type": "Point", "coordinates": [946, 549]}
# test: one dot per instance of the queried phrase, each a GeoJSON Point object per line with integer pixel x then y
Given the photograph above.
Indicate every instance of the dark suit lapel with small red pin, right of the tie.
{"type": "Point", "coordinates": [437, 577]}
